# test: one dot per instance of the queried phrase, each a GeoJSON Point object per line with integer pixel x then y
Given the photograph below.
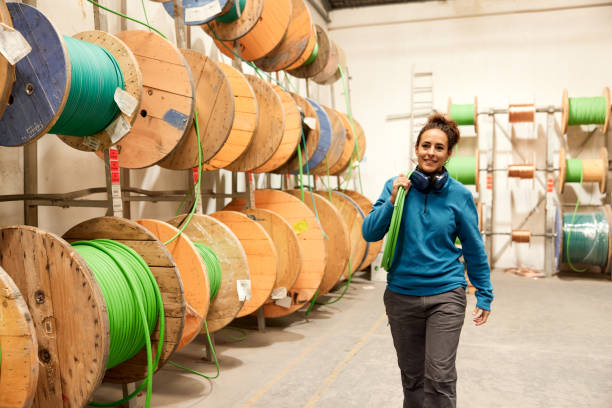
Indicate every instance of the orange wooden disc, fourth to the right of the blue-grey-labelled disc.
{"type": "Point", "coordinates": [291, 135]}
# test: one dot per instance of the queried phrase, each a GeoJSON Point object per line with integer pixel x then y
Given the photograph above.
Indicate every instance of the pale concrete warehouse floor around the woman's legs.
{"type": "Point", "coordinates": [547, 344]}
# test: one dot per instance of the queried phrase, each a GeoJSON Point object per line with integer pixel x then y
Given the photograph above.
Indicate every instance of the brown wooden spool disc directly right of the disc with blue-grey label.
{"type": "Point", "coordinates": [215, 108]}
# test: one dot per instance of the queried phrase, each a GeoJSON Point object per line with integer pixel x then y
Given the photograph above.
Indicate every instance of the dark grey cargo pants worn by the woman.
{"type": "Point", "coordinates": [425, 332]}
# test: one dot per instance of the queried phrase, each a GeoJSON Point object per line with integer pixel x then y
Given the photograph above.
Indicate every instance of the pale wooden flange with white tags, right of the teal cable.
{"type": "Point", "coordinates": [133, 86]}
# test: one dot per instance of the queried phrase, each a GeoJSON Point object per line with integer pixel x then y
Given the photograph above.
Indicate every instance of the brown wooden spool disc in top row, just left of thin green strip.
{"type": "Point", "coordinates": [295, 43]}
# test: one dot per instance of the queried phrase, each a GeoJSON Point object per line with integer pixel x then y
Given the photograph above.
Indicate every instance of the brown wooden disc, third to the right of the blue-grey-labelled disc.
{"type": "Point", "coordinates": [270, 128]}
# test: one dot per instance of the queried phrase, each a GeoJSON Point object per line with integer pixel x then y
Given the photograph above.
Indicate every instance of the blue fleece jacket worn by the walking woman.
{"type": "Point", "coordinates": [426, 259]}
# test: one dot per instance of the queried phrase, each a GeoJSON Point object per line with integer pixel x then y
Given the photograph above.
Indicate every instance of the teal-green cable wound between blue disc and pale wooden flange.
{"type": "Point", "coordinates": [94, 76]}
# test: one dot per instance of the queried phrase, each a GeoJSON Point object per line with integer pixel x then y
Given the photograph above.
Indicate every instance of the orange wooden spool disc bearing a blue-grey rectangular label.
{"type": "Point", "coordinates": [168, 101]}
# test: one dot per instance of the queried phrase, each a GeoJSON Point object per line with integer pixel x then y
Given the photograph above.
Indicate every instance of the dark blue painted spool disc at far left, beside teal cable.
{"type": "Point", "coordinates": [42, 79]}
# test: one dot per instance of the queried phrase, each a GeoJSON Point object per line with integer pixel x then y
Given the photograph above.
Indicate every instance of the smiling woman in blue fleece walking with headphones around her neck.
{"type": "Point", "coordinates": [425, 297]}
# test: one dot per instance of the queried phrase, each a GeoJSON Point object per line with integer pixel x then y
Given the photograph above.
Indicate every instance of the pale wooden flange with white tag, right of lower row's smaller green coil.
{"type": "Point", "coordinates": [234, 266]}
